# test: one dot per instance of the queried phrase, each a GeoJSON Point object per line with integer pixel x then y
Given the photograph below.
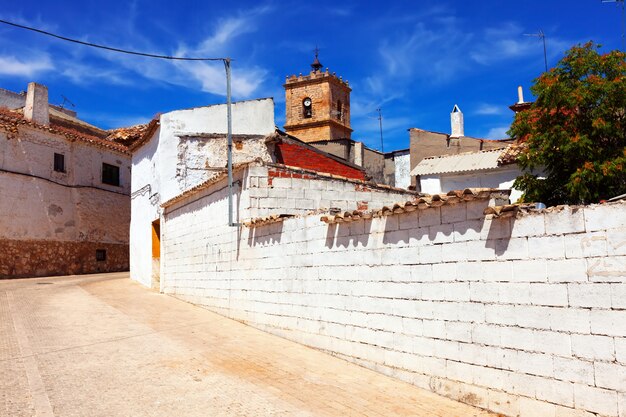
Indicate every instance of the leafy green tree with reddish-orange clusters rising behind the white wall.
{"type": "Point", "coordinates": [575, 131]}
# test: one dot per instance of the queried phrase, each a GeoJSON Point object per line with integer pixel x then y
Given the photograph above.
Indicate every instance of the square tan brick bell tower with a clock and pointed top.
{"type": "Point", "coordinates": [317, 105]}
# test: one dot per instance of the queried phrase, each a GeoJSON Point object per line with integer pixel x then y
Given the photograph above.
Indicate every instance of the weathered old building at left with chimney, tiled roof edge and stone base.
{"type": "Point", "coordinates": [64, 196]}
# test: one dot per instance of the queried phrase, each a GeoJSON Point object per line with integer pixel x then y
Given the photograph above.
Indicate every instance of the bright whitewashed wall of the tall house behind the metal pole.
{"type": "Point", "coordinates": [167, 165]}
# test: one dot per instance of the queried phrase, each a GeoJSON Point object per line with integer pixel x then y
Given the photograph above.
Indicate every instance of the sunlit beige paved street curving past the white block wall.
{"type": "Point", "coordinates": [101, 345]}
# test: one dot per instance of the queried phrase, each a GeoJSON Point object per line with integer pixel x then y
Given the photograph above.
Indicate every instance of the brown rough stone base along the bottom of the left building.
{"type": "Point", "coordinates": [30, 258]}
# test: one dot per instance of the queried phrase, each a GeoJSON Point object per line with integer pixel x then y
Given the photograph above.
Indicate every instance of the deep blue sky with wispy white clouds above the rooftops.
{"type": "Point", "coordinates": [414, 59]}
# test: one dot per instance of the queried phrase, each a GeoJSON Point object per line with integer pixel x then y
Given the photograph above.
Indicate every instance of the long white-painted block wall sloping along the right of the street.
{"type": "Point", "coordinates": [505, 313]}
